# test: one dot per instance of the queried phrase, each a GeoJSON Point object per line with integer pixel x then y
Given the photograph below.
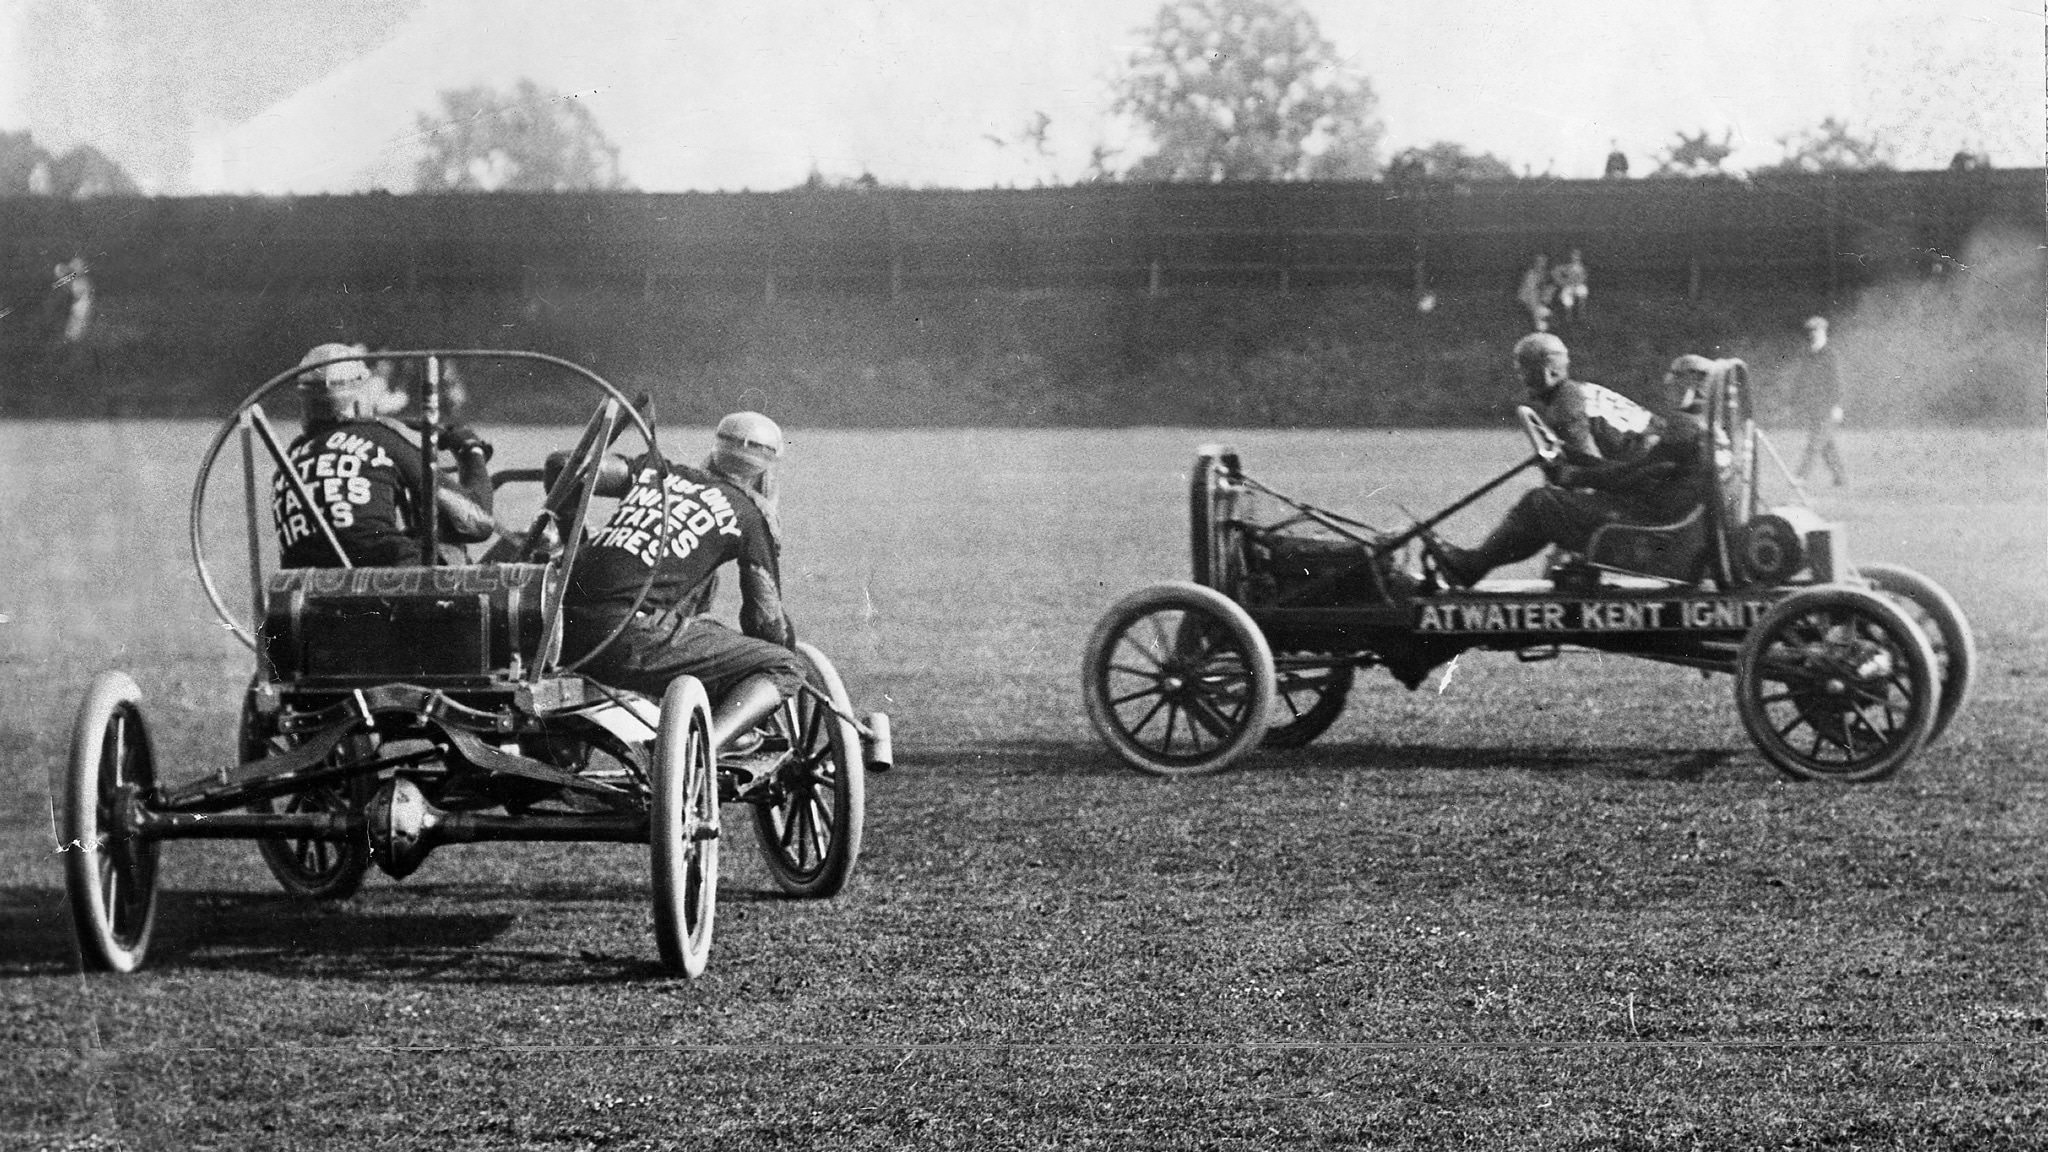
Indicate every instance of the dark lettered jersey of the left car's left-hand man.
{"type": "Point", "coordinates": [366, 479]}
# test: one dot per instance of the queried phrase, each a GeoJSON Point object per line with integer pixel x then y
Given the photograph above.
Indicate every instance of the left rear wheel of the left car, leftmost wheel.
{"type": "Point", "coordinates": [108, 872]}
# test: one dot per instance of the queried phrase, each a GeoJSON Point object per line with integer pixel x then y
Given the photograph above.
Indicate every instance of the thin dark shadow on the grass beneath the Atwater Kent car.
{"type": "Point", "coordinates": [1089, 759]}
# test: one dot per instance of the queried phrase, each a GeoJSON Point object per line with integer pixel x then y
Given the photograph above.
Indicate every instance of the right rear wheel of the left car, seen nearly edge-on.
{"type": "Point", "coordinates": [685, 829]}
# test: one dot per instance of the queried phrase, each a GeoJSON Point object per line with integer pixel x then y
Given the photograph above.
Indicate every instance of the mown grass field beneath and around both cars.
{"type": "Point", "coordinates": [1533, 907]}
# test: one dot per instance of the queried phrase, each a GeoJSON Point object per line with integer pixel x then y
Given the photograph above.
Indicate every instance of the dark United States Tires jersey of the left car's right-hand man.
{"type": "Point", "coordinates": [710, 524]}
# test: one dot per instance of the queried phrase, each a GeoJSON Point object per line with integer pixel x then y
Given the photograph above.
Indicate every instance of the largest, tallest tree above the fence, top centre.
{"type": "Point", "coordinates": [1248, 91]}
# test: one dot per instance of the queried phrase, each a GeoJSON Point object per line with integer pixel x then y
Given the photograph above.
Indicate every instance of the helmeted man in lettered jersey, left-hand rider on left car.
{"type": "Point", "coordinates": [361, 468]}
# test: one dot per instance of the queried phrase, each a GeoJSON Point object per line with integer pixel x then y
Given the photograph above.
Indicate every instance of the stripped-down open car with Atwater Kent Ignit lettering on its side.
{"type": "Point", "coordinates": [1840, 671]}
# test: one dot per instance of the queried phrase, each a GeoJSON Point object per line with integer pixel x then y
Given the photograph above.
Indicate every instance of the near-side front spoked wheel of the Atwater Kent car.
{"type": "Point", "coordinates": [1179, 680]}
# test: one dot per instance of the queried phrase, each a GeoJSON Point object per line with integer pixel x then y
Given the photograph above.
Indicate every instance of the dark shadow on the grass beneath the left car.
{"type": "Point", "coordinates": [357, 940]}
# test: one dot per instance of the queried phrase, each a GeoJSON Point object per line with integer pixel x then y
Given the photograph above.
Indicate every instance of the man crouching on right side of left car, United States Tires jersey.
{"type": "Point", "coordinates": [712, 522]}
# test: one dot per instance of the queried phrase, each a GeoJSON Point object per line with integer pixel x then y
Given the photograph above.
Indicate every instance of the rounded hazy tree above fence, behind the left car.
{"type": "Point", "coordinates": [523, 142]}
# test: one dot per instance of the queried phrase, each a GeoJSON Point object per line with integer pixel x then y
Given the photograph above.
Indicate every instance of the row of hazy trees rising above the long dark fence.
{"type": "Point", "coordinates": [1222, 91]}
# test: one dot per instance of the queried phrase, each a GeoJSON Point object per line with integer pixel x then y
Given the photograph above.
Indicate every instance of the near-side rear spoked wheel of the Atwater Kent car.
{"type": "Point", "coordinates": [1838, 684]}
